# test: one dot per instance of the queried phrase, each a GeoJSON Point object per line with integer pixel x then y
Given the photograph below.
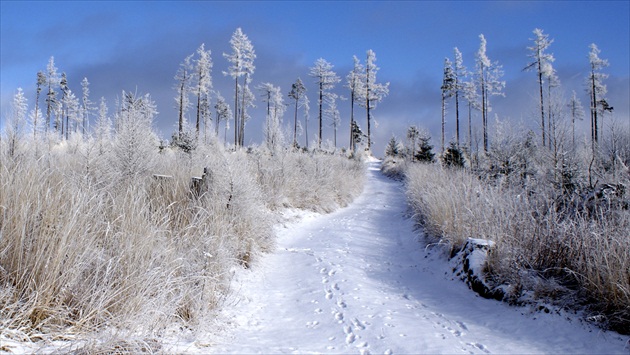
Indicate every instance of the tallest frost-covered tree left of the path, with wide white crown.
{"type": "Point", "coordinates": [241, 64]}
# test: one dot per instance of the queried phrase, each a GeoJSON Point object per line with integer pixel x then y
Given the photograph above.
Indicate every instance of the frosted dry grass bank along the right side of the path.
{"type": "Point", "coordinates": [571, 257]}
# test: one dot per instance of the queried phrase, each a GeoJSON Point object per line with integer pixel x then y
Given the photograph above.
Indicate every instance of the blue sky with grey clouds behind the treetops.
{"type": "Point", "coordinates": [138, 45]}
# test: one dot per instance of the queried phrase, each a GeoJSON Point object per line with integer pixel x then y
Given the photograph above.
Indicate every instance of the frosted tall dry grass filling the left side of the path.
{"type": "Point", "coordinates": [85, 246]}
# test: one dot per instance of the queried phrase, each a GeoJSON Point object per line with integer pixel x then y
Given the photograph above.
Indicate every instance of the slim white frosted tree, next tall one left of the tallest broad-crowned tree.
{"type": "Point", "coordinates": [203, 71]}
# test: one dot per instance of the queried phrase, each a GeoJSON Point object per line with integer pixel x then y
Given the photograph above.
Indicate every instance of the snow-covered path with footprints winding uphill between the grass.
{"type": "Point", "coordinates": [358, 281]}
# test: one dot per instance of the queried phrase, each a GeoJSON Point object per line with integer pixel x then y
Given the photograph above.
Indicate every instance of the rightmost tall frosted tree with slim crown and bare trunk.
{"type": "Point", "coordinates": [596, 89]}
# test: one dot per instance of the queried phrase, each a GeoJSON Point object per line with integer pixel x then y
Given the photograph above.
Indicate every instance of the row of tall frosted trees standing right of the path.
{"type": "Point", "coordinates": [477, 86]}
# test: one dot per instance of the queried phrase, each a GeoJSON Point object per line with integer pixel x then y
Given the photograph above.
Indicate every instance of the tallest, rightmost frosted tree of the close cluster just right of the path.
{"type": "Point", "coordinates": [488, 80]}
